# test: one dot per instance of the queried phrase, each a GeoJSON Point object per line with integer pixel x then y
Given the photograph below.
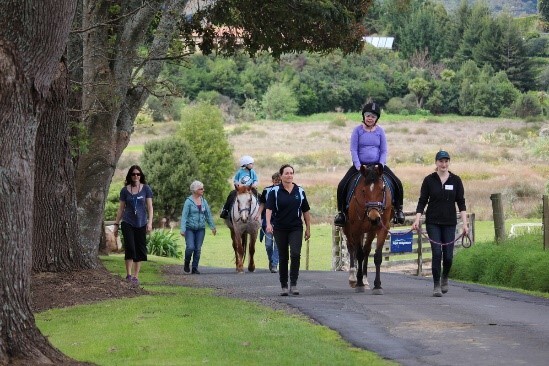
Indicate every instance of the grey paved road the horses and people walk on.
{"type": "Point", "coordinates": [470, 325]}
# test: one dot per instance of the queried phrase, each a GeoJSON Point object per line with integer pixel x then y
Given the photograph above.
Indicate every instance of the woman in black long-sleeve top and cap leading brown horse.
{"type": "Point", "coordinates": [440, 192]}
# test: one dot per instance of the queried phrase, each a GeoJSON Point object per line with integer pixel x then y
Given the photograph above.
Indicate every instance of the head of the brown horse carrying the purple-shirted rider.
{"type": "Point", "coordinates": [373, 190]}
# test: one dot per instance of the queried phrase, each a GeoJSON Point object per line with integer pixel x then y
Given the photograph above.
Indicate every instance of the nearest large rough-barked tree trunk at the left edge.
{"type": "Point", "coordinates": [32, 38]}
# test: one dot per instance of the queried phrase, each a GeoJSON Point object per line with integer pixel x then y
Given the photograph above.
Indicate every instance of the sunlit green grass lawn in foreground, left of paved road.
{"type": "Point", "coordinates": [187, 326]}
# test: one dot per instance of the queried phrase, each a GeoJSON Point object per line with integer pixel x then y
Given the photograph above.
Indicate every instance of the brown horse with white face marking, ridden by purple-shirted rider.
{"type": "Point", "coordinates": [370, 212]}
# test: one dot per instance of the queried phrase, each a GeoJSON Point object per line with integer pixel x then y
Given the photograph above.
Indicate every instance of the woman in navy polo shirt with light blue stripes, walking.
{"type": "Point", "coordinates": [286, 205]}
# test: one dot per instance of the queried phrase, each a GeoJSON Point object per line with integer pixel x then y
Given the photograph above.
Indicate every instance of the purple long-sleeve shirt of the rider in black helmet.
{"type": "Point", "coordinates": [368, 147]}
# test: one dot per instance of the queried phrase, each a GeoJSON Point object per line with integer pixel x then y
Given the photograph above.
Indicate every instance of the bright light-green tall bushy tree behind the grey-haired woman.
{"type": "Point", "coordinates": [202, 128]}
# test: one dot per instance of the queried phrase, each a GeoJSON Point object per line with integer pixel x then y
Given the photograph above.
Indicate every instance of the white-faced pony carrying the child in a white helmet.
{"type": "Point", "coordinates": [244, 222]}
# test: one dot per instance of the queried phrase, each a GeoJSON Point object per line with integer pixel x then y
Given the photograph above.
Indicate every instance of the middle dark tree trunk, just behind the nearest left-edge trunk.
{"type": "Point", "coordinates": [56, 246]}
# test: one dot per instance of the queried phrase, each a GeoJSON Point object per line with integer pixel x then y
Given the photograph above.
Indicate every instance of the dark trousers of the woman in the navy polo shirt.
{"type": "Point", "coordinates": [289, 247]}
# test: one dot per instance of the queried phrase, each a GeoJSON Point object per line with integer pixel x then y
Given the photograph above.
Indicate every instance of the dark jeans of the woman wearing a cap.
{"type": "Point", "coordinates": [445, 253]}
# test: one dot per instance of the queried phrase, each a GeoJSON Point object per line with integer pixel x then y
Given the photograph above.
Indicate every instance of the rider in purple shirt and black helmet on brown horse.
{"type": "Point", "coordinates": [369, 146]}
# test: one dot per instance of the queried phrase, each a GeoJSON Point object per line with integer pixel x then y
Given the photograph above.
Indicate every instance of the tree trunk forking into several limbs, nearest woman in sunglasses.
{"type": "Point", "coordinates": [110, 100]}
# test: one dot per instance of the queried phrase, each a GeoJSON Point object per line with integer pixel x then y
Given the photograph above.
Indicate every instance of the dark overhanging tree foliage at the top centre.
{"type": "Point", "coordinates": [282, 26]}
